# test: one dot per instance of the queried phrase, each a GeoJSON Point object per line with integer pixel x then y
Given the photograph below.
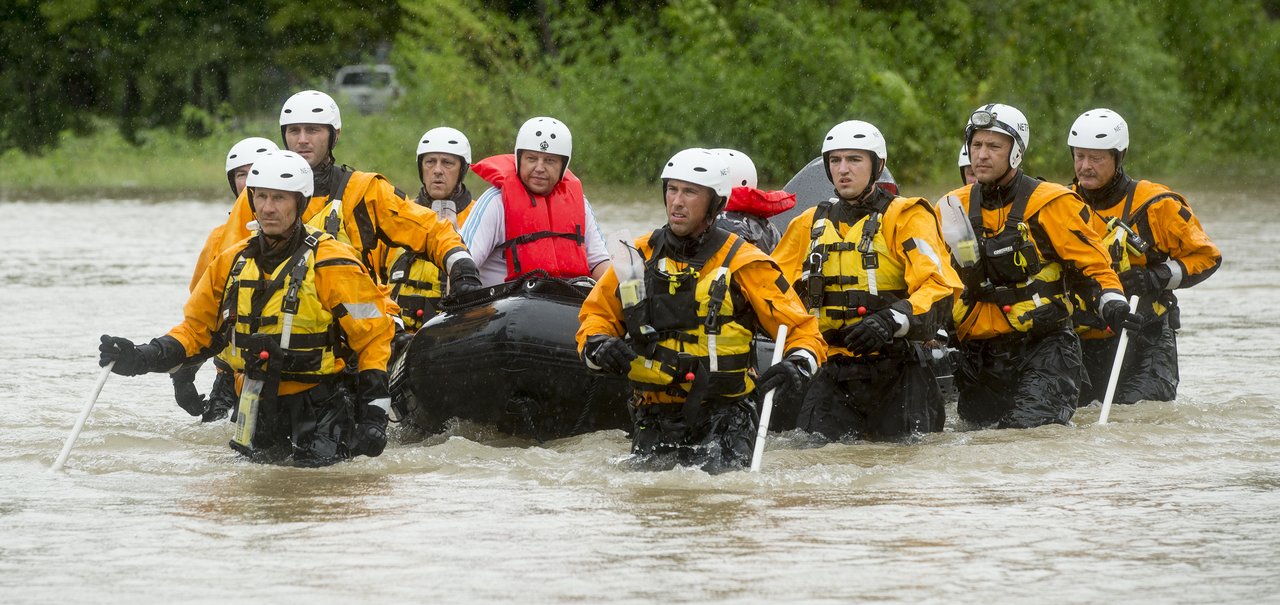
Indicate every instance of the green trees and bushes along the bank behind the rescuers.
{"type": "Point", "coordinates": [103, 100]}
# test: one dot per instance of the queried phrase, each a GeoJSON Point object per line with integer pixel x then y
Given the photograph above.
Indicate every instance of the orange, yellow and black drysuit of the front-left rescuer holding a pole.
{"type": "Point", "coordinates": [341, 315]}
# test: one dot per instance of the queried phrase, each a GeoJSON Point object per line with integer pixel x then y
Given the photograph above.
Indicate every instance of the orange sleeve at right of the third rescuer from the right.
{"type": "Point", "coordinates": [916, 237]}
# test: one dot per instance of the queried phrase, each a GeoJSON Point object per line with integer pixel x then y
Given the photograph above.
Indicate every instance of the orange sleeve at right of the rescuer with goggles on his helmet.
{"type": "Point", "coordinates": [1067, 222]}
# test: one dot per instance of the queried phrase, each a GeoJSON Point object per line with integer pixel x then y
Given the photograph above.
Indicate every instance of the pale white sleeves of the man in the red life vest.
{"type": "Point", "coordinates": [486, 230]}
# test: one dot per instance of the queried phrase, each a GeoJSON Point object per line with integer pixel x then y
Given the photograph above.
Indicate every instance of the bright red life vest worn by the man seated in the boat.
{"type": "Point", "coordinates": [543, 232]}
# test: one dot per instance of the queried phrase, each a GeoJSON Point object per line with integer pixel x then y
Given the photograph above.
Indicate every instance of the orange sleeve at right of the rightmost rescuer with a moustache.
{"type": "Point", "coordinates": [1192, 255]}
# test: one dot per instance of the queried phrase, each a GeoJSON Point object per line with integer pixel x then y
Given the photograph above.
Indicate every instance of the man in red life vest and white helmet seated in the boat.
{"type": "Point", "coordinates": [536, 216]}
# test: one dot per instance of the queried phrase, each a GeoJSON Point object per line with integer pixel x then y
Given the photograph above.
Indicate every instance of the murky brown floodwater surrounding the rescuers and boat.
{"type": "Point", "coordinates": [1169, 503]}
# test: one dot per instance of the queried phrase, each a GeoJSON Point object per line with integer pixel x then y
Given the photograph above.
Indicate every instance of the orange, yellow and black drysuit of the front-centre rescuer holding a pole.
{"type": "Point", "coordinates": [705, 297]}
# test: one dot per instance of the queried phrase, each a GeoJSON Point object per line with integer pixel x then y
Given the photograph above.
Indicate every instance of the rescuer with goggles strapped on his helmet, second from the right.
{"type": "Point", "coordinates": [1020, 356]}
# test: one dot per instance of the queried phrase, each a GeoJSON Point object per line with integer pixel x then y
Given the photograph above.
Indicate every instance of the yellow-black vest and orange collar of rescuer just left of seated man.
{"type": "Point", "coordinates": [418, 283]}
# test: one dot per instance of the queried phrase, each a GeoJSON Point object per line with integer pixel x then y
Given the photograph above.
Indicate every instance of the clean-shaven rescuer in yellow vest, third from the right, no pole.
{"type": "Point", "coordinates": [874, 269]}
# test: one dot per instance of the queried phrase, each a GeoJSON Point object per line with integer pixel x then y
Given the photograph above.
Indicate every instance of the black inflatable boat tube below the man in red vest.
{"type": "Point", "coordinates": [505, 356]}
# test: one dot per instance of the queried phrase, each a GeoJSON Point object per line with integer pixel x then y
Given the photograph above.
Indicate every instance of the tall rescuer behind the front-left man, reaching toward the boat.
{"type": "Point", "coordinates": [356, 208]}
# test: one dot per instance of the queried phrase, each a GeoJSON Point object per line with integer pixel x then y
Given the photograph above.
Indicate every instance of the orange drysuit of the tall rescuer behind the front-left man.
{"type": "Point", "coordinates": [365, 212]}
